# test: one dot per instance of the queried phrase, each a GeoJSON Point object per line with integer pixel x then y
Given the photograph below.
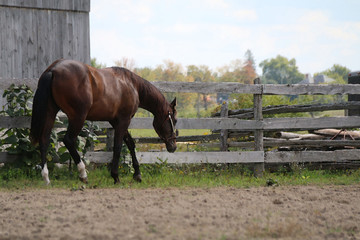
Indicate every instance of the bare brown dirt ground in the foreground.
{"type": "Point", "coordinates": [295, 212]}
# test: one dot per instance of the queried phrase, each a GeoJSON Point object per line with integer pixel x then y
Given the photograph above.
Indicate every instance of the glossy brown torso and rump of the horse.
{"type": "Point", "coordinates": [95, 94]}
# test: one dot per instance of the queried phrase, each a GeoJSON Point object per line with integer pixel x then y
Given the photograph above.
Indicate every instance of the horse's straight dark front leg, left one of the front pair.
{"type": "Point", "coordinates": [120, 129]}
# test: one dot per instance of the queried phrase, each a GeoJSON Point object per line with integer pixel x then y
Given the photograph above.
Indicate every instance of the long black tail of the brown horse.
{"type": "Point", "coordinates": [41, 100]}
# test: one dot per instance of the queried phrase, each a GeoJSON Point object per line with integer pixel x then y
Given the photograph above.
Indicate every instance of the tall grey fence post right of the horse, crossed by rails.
{"type": "Point", "coordinates": [259, 168]}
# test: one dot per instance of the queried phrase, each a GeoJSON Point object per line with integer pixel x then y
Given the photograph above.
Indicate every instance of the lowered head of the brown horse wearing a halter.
{"type": "Point", "coordinates": [164, 126]}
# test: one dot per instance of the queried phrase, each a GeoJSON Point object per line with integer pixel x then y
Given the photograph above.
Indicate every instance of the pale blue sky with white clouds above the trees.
{"type": "Point", "coordinates": [317, 33]}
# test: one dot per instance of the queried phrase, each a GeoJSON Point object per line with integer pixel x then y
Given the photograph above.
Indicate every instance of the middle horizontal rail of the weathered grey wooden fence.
{"type": "Point", "coordinates": [268, 124]}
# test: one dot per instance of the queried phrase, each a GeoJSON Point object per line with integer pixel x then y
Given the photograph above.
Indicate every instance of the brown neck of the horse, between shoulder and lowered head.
{"type": "Point", "coordinates": [151, 99]}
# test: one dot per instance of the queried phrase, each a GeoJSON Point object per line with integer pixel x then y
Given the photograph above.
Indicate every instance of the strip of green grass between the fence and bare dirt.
{"type": "Point", "coordinates": [163, 175]}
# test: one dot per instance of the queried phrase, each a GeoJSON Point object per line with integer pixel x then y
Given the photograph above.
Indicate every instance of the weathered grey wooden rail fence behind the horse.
{"type": "Point", "coordinates": [258, 125]}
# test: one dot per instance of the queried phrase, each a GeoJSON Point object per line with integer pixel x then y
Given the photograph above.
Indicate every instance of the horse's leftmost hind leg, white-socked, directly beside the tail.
{"type": "Point", "coordinates": [45, 140]}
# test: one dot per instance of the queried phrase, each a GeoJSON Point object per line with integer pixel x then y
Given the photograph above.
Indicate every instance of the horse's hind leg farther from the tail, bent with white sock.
{"type": "Point", "coordinates": [74, 128]}
